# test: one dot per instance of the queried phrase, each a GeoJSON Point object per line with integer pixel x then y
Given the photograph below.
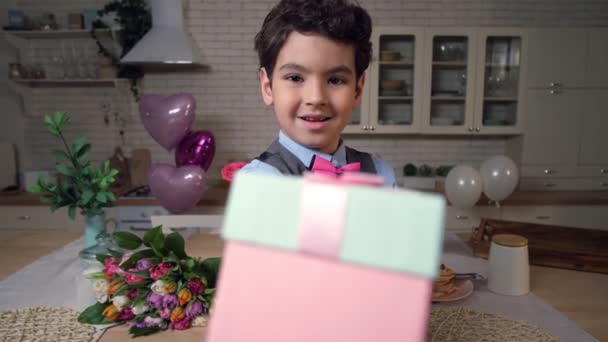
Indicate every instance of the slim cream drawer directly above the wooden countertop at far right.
{"type": "Point", "coordinates": [563, 184]}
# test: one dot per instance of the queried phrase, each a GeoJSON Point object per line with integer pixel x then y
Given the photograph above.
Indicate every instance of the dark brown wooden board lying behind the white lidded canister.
{"type": "Point", "coordinates": [562, 247]}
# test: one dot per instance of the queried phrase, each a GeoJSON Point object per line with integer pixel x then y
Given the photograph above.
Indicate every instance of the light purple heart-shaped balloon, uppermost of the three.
{"type": "Point", "coordinates": [167, 118]}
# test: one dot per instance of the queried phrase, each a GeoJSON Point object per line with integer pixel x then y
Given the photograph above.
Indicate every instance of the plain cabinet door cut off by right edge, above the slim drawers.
{"type": "Point", "coordinates": [594, 131]}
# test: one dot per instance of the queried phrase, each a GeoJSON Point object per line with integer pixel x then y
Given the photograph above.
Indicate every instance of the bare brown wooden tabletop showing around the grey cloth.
{"type": "Point", "coordinates": [580, 296]}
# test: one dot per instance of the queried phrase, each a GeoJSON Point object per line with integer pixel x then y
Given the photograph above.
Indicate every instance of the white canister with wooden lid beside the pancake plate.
{"type": "Point", "coordinates": [509, 268]}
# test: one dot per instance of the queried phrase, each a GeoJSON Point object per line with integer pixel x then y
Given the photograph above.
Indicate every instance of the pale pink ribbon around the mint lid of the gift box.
{"type": "Point", "coordinates": [323, 206]}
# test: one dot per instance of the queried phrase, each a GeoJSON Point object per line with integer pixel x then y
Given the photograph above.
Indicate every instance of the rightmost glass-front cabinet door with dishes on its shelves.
{"type": "Point", "coordinates": [500, 76]}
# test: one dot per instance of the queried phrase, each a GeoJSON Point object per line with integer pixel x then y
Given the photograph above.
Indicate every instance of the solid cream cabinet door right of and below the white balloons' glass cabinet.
{"type": "Point", "coordinates": [552, 128]}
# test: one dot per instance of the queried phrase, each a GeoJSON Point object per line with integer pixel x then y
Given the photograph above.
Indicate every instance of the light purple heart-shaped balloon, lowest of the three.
{"type": "Point", "coordinates": [177, 189]}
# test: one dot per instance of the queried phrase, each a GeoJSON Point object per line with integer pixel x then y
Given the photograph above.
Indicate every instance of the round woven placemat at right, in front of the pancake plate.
{"type": "Point", "coordinates": [467, 324]}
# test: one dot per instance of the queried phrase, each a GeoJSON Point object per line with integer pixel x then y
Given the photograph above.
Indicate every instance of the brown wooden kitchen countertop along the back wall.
{"type": "Point", "coordinates": [216, 196]}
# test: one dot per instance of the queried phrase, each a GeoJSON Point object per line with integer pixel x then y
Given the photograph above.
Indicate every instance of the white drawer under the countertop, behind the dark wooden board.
{"type": "Point", "coordinates": [592, 217]}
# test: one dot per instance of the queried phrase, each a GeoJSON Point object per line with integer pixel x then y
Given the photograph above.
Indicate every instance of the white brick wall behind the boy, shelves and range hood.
{"type": "Point", "coordinates": [227, 94]}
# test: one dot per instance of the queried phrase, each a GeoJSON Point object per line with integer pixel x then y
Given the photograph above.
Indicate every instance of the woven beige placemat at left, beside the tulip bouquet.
{"type": "Point", "coordinates": [43, 324]}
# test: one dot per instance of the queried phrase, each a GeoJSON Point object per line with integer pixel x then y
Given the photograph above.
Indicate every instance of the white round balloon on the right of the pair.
{"type": "Point", "coordinates": [500, 176]}
